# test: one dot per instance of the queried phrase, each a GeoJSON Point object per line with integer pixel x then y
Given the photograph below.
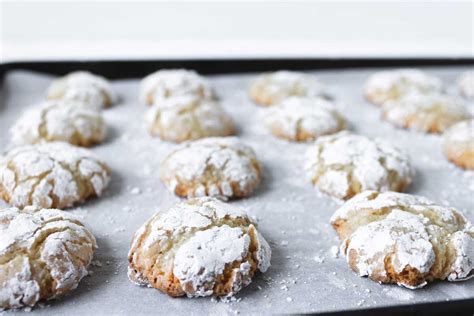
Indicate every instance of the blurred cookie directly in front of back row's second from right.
{"type": "Point", "coordinates": [427, 113]}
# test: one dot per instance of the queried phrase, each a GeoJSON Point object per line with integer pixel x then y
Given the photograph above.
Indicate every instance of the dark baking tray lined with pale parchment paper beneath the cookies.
{"type": "Point", "coordinates": [305, 276]}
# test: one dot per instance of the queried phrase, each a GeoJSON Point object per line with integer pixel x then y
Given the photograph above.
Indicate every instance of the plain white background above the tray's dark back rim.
{"type": "Point", "coordinates": [41, 30]}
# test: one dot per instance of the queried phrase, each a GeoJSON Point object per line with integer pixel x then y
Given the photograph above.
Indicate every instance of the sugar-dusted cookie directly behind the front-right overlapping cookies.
{"type": "Point", "coordinates": [345, 164]}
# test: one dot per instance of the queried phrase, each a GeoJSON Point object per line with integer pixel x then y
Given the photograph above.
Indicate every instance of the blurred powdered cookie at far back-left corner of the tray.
{"type": "Point", "coordinates": [83, 86]}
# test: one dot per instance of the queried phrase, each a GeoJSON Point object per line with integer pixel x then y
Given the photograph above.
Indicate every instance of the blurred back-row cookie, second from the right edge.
{"type": "Point", "coordinates": [393, 84]}
